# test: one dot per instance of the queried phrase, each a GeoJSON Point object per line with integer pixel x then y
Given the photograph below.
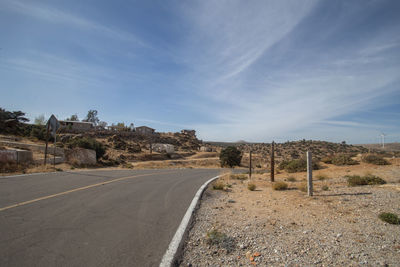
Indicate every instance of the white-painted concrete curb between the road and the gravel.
{"type": "Point", "coordinates": [173, 247]}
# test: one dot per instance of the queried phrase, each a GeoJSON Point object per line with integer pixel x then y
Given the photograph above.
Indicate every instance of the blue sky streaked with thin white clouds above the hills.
{"type": "Point", "coordinates": [252, 70]}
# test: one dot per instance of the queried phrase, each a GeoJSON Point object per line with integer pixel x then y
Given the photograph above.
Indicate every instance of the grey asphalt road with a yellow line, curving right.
{"type": "Point", "coordinates": [94, 218]}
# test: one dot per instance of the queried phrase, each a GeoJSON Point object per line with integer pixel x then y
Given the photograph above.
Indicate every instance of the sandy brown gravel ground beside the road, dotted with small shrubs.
{"type": "Point", "coordinates": [338, 227]}
